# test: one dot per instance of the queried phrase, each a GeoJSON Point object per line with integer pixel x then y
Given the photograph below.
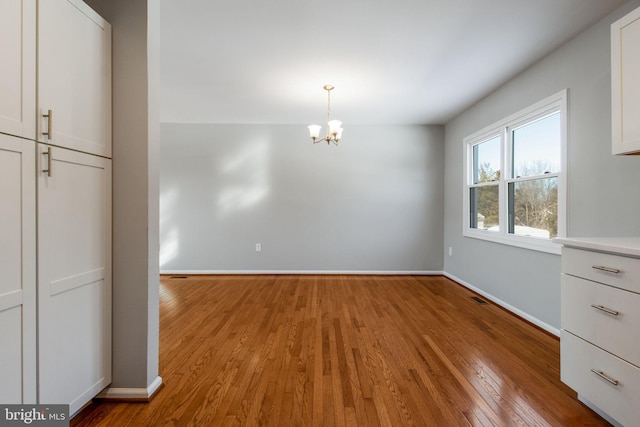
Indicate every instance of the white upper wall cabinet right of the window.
{"type": "Point", "coordinates": [625, 84]}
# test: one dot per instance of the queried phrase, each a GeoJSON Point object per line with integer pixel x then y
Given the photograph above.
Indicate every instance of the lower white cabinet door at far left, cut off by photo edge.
{"type": "Point", "coordinates": [17, 264]}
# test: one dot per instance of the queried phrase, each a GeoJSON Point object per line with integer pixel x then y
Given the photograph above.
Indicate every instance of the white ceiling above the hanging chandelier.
{"type": "Point", "coordinates": [392, 61]}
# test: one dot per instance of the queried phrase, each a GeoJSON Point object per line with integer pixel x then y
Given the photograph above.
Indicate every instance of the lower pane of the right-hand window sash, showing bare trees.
{"type": "Point", "coordinates": [533, 208]}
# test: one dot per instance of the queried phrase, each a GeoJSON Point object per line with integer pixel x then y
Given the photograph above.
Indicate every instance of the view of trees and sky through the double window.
{"type": "Point", "coordinates": [531, 185]}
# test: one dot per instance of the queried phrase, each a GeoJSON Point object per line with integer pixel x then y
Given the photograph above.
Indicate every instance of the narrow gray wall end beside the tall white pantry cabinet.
{"type": "Point", "coordinates": [135, 189]}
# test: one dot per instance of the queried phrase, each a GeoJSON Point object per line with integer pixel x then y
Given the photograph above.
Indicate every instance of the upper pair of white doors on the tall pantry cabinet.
{"type": "Point", "coordinates": [72, 105]}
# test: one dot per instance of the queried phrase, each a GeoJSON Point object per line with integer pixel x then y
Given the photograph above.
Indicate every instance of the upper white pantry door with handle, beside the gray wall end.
{"type": "Point", "coordinates": [74, 77]}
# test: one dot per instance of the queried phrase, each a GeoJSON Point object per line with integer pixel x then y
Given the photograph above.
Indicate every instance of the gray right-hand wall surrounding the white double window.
{"type": "Point", "coordinates": [603, 193]}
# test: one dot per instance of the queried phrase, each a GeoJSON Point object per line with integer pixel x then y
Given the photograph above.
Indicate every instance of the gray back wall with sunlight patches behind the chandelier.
{"type": "Point", "coordinates": [374, 203]}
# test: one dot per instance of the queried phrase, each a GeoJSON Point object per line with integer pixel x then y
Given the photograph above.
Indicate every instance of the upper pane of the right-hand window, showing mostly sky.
{"type": "Point", "coordinates": [536, 147]}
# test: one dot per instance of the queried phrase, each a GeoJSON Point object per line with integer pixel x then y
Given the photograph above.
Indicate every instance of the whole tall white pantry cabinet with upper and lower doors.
{"type": "Point", "coordinates": [55, 226]}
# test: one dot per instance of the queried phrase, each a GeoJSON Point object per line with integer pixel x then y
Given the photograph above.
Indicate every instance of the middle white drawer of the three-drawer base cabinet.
{"type": "Point", "coordinates": [614, 333]}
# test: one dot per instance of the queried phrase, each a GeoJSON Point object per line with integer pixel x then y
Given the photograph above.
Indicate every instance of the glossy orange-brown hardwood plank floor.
{"type": "Point", "coordinates": [344, 351]}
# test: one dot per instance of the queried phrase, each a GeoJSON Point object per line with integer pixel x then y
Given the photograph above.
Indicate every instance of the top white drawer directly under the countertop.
{"type": "Point", "coordinates": [619, 271]}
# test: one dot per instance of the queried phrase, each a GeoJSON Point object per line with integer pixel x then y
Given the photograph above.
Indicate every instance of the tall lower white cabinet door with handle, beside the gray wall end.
{"type": "Point", "coordinates": [74, 276]}
